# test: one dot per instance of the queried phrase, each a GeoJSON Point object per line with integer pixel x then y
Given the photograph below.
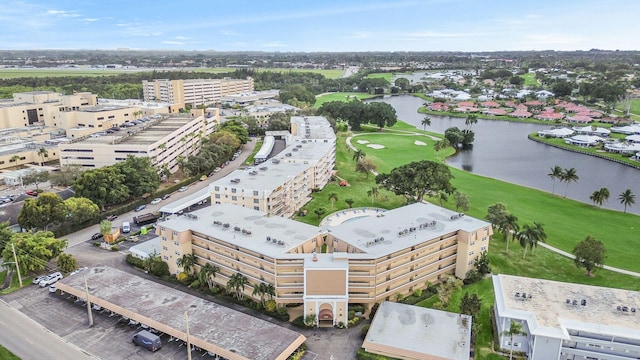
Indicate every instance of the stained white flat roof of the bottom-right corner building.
{"type": "Point", "coordinates": [549, 306]}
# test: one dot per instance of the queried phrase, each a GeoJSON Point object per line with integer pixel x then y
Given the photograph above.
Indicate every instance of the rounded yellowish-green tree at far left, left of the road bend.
{"type": "Point", "coordinates": [40, 213]}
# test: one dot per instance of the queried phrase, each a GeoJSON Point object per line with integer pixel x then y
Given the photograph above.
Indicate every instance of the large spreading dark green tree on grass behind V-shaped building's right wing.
{"type": "Point", "coordinates": [417, 179]}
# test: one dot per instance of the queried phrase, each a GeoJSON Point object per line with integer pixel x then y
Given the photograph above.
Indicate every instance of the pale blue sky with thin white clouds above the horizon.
{"type": "Point", "coordinates": [325, 25]}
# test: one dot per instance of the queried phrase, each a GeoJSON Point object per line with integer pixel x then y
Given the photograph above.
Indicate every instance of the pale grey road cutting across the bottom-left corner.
{"type": "Point", "coordinates": [30, 340]}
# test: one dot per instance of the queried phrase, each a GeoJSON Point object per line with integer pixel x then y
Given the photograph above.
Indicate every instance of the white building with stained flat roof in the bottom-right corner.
{"type": "Point", "coordinates": [567, 321]}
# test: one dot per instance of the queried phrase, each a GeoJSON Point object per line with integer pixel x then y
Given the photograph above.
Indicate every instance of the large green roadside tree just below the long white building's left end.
{"type": "Point", "coordinates": [103, 186]}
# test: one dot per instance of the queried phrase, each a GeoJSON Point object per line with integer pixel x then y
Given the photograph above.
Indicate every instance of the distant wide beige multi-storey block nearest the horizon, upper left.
{"type": "Point", "coordinates": [194, 92]}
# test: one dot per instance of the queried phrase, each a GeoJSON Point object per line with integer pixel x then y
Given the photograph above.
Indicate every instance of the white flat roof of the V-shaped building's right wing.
{"type": "Point", "coordinates": [428, 220]}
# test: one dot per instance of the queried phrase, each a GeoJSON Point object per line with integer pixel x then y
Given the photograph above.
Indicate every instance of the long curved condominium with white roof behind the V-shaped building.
{"type": "Point", "coordinates": [282, 185]}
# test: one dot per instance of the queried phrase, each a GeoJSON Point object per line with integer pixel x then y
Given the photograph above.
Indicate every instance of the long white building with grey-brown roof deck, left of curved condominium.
{"type": "Point", "coordinates": [163, 139]}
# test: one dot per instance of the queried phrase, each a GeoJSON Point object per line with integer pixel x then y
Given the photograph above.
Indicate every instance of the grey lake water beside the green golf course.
{"type": "Point", "coordinates": [501, 150]}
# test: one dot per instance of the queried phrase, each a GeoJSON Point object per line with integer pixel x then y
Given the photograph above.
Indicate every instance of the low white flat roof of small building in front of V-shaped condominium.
{"type": "Point", "coordinates": [415, 332]}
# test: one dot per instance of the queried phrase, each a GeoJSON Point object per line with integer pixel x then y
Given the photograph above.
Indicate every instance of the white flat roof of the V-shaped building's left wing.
{"type": "Point", "coordinates": [290, 232]}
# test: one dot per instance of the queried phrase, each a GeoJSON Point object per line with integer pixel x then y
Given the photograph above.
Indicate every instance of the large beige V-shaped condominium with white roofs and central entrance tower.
{"type": "Point", "coordinates": [365, 261]}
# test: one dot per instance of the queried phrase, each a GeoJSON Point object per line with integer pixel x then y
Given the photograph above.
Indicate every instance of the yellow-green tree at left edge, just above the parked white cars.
{"type": "Point", "coordinates": [33, 250]}
